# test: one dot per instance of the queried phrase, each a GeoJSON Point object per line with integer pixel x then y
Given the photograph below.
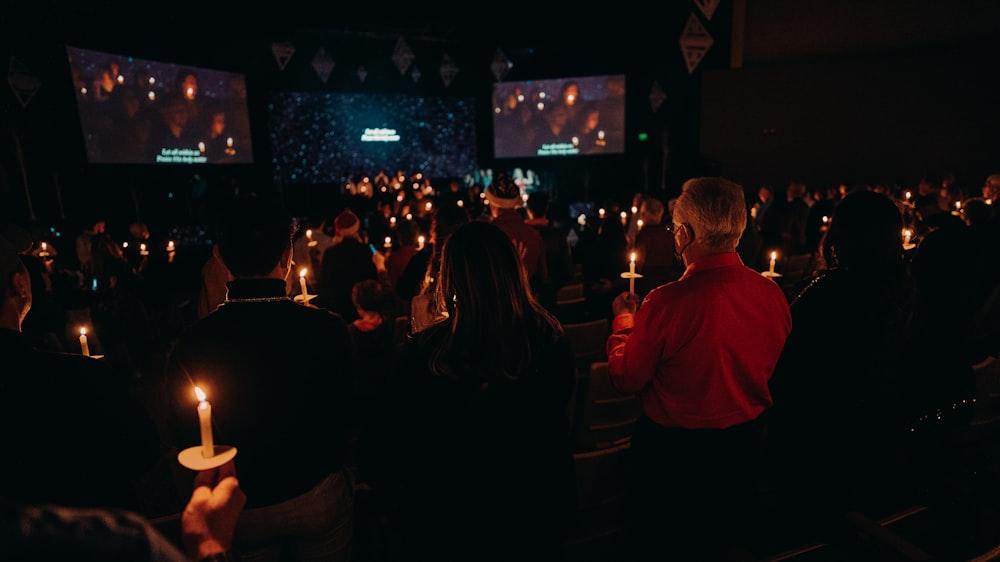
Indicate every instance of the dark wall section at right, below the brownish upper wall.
{"type": "Point", "coordinates": [864, 119]}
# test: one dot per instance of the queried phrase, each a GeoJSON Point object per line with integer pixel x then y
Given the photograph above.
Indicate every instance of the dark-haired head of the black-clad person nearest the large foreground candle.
{"type": "Point", "coordinates": [255, 233]}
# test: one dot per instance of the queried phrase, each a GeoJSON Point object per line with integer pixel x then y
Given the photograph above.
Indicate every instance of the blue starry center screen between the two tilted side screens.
{"type": "Point", "coordinates": [336, 137]}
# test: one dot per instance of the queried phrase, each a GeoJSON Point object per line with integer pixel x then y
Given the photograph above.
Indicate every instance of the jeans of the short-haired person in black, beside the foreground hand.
{"type": "Point", "coordinates": [316, 526]}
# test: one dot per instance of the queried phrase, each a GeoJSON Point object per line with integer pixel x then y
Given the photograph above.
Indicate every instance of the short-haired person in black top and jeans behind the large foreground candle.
{"type": "Point", "coordinates": [279, 377]}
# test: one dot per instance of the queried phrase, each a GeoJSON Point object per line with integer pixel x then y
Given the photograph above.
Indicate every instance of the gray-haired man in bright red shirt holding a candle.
{"type": "Point", "coordinates": [699, 353]}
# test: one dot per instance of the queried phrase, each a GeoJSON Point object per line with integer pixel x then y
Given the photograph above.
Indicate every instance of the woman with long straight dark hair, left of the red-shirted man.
{"type": "Point", "coordinates": [473, 450]}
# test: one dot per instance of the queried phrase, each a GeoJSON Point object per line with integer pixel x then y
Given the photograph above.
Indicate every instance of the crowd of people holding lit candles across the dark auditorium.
{"type": "Point", "coordinates": [358, 440]}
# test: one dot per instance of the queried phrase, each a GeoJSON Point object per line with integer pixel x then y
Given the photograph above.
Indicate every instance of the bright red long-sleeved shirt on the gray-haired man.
{"type": "Point", "coordinates": [700, 351]}
